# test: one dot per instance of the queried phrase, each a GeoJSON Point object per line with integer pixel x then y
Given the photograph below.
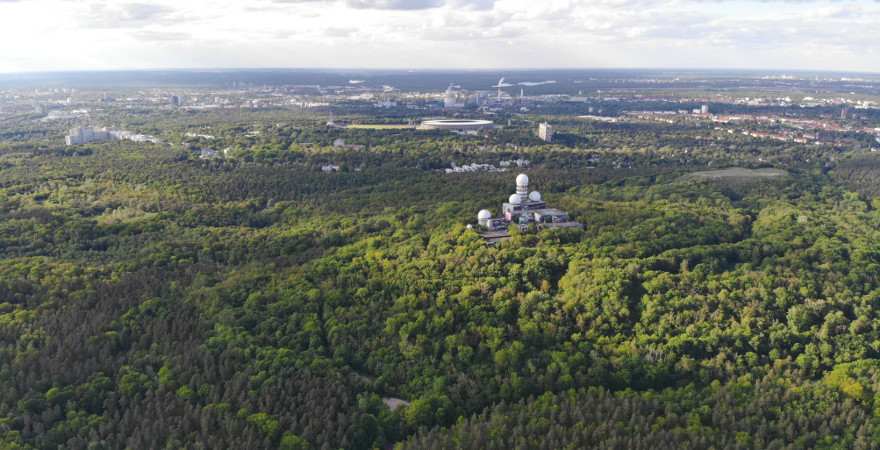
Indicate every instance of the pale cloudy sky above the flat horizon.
{"type": "Point", "coordinates": [50, 35]}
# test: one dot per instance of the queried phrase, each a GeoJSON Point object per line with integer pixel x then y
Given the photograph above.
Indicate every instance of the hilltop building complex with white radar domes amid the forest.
{"type": "Point", "coordinates": [522, 209]}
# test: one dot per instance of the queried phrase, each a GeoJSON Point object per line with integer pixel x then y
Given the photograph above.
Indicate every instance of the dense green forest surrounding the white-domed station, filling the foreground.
{"type": "Point", "coordinates": [152, 300]}
